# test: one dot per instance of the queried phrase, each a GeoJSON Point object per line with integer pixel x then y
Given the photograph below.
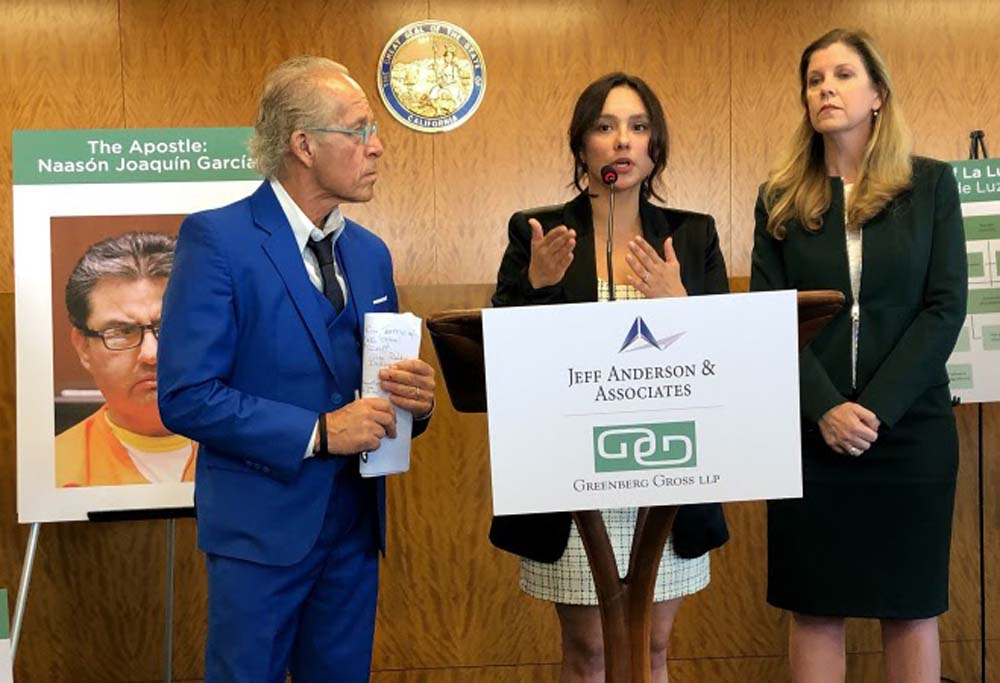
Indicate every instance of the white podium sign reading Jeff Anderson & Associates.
{"type": "Point", "coordinates": [640, 403]}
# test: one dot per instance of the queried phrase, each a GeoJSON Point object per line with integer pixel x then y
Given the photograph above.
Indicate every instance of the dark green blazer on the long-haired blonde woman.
{"type": "Point", "coordinates": [913, 295]}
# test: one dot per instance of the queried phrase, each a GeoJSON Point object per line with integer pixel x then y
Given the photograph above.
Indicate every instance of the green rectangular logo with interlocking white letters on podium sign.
{"type": "Point", "coordinates": [622, 448]}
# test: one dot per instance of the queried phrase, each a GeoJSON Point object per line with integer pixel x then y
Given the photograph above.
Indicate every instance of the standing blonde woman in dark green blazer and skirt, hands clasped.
{"type": "Point", "coordinates": [849, 209]}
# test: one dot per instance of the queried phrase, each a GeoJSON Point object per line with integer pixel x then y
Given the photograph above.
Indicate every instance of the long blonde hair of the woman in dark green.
{"type": "Point", "coordinates": [797, 188]}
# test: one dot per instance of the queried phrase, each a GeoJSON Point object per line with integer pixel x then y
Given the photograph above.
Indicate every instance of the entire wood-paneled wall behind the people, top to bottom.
{"type": "Point", "coordinates": [450, 609]}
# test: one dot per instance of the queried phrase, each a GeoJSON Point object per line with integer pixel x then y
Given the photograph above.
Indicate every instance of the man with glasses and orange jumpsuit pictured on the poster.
{"type": "Point", "coordinates": [113, 297]}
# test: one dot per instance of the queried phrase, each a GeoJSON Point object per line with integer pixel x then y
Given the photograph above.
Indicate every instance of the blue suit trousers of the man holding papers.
{"type": "Point", "coordinates": [316, 618]}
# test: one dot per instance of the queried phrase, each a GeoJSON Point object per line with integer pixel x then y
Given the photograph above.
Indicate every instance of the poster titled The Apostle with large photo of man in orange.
{"type": "Point", "coordinates": [96, 215]}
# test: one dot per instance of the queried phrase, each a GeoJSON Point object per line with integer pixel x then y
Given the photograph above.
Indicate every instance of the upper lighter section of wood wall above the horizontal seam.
{"type": "Point", "coordinates": [725, 70]}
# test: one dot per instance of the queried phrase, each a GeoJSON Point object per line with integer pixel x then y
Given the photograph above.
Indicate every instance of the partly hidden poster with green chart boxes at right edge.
{"type": "Point", "coordinates": [974, 366]}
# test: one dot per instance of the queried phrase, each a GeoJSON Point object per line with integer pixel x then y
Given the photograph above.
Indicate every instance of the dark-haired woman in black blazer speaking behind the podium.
{"type": "Point", "coordinates": [550, 258]}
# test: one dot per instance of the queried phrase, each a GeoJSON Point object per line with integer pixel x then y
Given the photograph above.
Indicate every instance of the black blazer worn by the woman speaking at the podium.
{"type": "Point", "coordinates": [543, 537]}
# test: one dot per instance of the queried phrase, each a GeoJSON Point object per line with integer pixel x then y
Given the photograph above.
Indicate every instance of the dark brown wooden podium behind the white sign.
{"type": "Point", "coordinates": [626, 604]}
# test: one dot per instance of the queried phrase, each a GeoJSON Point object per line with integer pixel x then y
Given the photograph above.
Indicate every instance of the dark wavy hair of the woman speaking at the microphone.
{"type": "Point", "coordinates": [588, 110]}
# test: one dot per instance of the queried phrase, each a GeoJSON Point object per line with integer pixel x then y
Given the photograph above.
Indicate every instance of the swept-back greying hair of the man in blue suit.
{"type": "Point", "coordinates": [290, 101]}
